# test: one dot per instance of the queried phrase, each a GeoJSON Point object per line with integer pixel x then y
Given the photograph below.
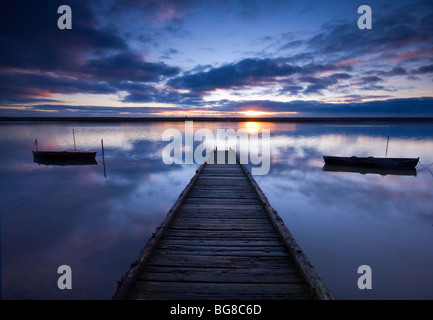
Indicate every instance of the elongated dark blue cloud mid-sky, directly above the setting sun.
{"type": "Point", "coordinates": [261, 72]}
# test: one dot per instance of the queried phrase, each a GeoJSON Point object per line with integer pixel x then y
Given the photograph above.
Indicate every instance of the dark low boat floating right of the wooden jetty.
{"type": "Point", "coordinates": [371, 162]}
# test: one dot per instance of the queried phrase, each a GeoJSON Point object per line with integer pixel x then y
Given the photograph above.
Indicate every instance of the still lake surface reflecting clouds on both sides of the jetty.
{"type": "Point", "coordinates": [96, 222]}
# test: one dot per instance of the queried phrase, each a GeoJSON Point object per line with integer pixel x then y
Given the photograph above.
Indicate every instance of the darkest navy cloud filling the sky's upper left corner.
{"type": "Point", "coordinates": [30, 37]}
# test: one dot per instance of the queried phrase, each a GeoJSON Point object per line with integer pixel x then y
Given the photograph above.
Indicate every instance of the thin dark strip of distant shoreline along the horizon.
{"type": "Point", "coordinates": [223, 119]}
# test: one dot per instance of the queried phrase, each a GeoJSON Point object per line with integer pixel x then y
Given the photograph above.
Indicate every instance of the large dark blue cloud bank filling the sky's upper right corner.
{"type": "Point", "coordinates": [401, 37]}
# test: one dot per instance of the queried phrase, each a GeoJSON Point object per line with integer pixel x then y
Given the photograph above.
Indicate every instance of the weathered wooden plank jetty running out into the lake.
{"type": "Point", "coordinates": [222, 240]}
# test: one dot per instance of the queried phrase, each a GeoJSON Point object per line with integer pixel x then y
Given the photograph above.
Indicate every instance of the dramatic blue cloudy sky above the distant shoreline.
{"type": "Point", "coordinates": [216, 57]}
